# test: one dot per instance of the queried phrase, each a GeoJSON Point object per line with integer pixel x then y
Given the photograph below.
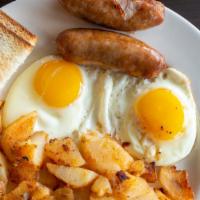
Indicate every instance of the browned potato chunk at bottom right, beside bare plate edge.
{"type": "Point", "coordinates": [175, 183]}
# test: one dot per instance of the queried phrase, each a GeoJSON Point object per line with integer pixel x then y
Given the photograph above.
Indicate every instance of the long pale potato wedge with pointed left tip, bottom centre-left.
{"type": "Point", "coordinates": [74, 176]}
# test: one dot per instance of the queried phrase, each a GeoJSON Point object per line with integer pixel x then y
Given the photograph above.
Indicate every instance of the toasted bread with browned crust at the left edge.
{"type": "Point", "coordinates": [16, 43]}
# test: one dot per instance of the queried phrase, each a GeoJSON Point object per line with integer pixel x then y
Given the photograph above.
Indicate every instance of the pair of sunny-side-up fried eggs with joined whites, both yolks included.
{"type": "Point", "coordinates": [157, 118]}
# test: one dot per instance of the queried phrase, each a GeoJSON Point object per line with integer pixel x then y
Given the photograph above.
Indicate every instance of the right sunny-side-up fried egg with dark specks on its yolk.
{"type": "Point", "coordinates": [158, 118]}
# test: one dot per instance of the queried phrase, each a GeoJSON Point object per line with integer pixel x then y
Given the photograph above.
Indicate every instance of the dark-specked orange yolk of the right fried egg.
{"type": "Point", "coordinates": [160, 114]}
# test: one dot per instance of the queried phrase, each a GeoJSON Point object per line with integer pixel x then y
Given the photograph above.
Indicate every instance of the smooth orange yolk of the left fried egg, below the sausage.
{"type": "Point", "coordinates": [58, 83]}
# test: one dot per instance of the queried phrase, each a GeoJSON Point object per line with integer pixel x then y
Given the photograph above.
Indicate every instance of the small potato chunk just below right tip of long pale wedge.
{"type": "Point", "coordinates": [101, 186]}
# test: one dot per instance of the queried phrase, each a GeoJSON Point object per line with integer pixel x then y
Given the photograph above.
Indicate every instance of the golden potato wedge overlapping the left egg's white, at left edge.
{"type": "Point", "coordinates": [18, 131]}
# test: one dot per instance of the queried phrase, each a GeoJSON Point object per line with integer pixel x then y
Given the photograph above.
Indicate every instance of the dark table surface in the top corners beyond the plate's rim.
{"type": "Point", "coordinates": [190, 9]}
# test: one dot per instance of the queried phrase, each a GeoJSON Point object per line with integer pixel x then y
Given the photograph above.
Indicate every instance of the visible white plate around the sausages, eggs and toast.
{"type": "Point", "coordinates": [176, 39]}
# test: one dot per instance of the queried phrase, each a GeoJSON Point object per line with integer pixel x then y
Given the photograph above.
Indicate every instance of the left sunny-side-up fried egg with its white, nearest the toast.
{"type": "Point", "coordinates": [61, 93]}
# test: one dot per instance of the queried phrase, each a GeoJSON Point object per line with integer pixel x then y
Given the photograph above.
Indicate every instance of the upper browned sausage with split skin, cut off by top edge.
{"type": "Point", "coordinates": [125, 15]}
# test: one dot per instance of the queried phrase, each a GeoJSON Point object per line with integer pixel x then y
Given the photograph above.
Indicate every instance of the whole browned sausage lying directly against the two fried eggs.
{"type": "Point", "coordinates": [110, 50]}
